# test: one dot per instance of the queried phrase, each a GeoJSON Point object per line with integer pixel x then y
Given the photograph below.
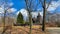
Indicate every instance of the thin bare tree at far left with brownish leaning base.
{"type": "Point", "coordinates": [5, 7]}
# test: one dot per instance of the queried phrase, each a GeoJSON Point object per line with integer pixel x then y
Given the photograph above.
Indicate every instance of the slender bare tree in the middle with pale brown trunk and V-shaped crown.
{"type": "Point", "coordinates": [28, 6]}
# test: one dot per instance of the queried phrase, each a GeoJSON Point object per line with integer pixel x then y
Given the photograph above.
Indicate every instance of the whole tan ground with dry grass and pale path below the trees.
{"type": "Point", "coordinates": [36, 29]}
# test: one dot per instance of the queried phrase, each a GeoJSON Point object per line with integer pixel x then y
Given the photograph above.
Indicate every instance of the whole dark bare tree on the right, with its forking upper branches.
{"type": "Point", "coordinates": [43, 2]}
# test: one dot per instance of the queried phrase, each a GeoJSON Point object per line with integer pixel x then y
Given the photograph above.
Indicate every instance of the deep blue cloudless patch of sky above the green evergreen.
{"type": "Point", "coordinates": [18, 4]}
